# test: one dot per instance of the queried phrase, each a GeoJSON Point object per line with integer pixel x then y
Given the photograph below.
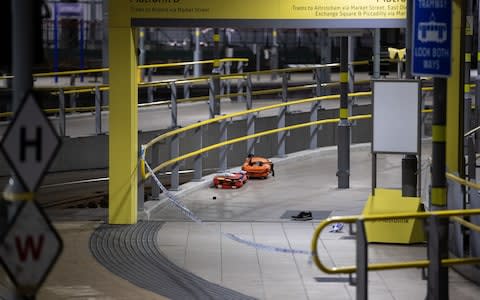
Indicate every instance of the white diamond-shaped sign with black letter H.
{"type": "Point", "coordinates": [30, 143]}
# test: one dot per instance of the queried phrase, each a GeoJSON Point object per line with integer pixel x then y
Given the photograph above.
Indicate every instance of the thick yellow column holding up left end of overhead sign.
{"type": "Point", "coordinates": [123, 127]}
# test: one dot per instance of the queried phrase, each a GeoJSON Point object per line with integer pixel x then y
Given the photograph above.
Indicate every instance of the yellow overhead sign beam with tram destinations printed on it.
{"type": "Point", "coordinates": [124, 10]}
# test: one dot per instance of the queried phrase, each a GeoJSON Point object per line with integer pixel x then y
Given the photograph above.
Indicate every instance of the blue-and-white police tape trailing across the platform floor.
{"type": "Point", "coordinates": [188, 213]}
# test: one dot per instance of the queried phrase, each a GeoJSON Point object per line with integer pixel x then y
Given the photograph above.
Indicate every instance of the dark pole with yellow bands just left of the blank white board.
{"type": "Point", "coordinates": [343, 149]}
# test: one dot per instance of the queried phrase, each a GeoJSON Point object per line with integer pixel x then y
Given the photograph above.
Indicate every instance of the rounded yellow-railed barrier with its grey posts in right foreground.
{"type": "Point", "coordinates": [362, 267]}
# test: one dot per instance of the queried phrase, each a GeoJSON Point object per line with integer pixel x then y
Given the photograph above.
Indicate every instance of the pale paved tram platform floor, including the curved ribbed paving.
{"type": "Point", "coordinates": [170, 257]}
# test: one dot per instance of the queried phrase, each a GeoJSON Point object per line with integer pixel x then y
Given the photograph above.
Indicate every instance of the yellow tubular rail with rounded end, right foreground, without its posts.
{"type": "Point", "coordinates": [395, 265]}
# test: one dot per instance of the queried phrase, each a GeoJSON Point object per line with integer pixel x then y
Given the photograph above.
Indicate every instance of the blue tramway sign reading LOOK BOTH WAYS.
{"type": "Point", "coordinates": [432, 38]}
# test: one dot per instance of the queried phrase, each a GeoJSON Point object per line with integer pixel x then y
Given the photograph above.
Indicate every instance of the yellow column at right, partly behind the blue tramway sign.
{"type": "Point", "coordinates": [454, 138]}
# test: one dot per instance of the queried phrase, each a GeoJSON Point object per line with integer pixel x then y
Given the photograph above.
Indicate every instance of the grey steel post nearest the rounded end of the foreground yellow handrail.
{"type": "Point", "coordinates": [362, 261]}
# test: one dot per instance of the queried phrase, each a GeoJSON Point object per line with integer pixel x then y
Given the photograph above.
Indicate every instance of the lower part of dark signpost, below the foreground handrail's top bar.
{"type": "Point", "coordinates": [437, 286]}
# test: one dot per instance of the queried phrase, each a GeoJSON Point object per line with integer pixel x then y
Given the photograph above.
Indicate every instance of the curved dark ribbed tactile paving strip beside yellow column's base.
{"type": "Point", "coordinates": [131, 252]}
